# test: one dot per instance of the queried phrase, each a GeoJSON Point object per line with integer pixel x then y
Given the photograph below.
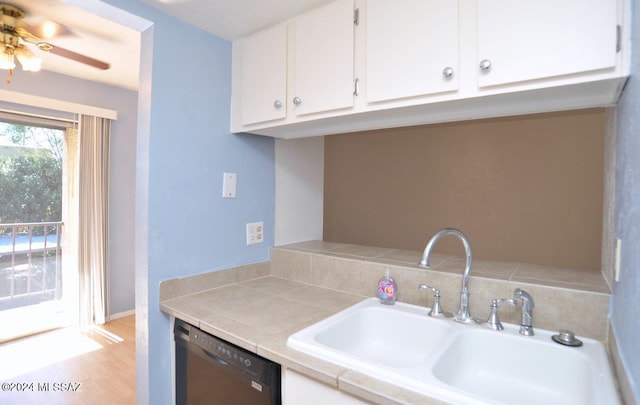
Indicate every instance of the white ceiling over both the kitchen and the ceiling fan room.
{"type": "Point", "coordinates": [119, 46]}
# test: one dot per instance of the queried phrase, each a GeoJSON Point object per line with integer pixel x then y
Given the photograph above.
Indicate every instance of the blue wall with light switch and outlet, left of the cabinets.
{"type": "Point", "coordinates": [183, 226]}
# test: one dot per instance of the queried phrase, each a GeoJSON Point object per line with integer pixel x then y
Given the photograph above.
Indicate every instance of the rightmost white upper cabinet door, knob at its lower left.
{"type": "Point", "coordinates": [521, 40]}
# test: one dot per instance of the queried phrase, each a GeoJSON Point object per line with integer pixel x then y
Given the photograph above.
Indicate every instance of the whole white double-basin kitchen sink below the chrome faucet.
{"type": "Point", "coordinates": [459, 363]}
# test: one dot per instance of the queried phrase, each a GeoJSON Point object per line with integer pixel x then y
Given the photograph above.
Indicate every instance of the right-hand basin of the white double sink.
{"type": "Point", "coordinates": [514, 369]}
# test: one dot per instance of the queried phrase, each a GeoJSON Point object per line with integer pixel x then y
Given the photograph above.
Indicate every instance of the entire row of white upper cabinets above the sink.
{"type": "Point", "coordinates": [413, 62]}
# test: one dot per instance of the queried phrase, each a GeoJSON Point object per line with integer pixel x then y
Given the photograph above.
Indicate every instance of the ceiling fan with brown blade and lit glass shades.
{"type": "Point", "coordinates": [15, 34]}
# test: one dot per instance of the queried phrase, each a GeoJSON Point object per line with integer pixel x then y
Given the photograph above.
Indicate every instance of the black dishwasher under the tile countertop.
{"type": "Point", "coordinates": [212, 371]}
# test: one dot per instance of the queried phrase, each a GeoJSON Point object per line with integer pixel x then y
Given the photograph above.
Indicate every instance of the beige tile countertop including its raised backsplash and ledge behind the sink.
{"type": "Point", "coordinates": [258, 306]}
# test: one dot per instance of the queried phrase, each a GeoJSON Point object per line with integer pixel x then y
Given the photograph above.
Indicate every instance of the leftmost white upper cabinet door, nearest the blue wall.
{"type": "Point", "coordinates": [264, 76]}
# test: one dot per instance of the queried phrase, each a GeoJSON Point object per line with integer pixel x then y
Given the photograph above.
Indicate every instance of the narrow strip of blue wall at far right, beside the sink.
{"type": "Point", "coordinates": [626, 292]}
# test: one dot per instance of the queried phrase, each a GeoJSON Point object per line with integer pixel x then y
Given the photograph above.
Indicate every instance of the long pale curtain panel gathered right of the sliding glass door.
{"type": "Point", "coordinates": [93, 220]}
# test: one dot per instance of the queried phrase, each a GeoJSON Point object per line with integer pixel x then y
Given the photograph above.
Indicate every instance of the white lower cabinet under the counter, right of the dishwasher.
{"type": "Point", "coordinates": [298, 389]}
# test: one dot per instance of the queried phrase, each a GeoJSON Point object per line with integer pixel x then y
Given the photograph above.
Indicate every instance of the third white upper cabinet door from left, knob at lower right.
{"type": "Point", "coordinates": [412, 48]}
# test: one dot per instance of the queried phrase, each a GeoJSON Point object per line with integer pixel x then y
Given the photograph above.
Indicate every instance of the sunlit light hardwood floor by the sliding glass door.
{"type": "Point", "coordinates": [68, 367]}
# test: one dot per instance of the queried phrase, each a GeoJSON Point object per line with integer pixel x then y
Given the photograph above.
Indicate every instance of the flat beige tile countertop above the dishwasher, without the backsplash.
{"type": "Point", "coordinates": [260, 314]}
